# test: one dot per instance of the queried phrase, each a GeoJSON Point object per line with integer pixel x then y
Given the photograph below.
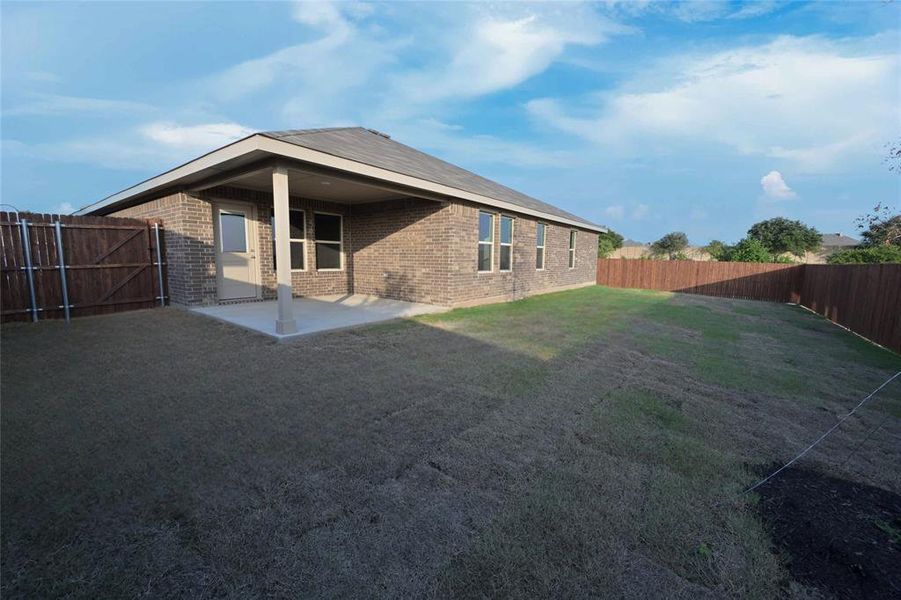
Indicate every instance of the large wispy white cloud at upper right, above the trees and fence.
{"type": "Point", "coordinates": [812, 101]}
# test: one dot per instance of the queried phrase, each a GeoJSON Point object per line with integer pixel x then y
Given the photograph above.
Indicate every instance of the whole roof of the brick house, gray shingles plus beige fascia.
{"type": "Point", "coordinates": [354, 150]}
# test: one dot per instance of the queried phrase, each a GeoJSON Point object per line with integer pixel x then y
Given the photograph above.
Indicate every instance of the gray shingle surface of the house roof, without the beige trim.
{"type": "Point", "coordinates": [379, 150]}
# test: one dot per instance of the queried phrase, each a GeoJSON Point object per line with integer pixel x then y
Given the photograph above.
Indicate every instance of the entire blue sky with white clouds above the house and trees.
{"type": "Point", "coordinates": [648, 117]}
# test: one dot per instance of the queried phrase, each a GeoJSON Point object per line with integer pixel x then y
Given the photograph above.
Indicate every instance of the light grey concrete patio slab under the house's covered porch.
{"type": "Point", "coordinates": [321, 313]}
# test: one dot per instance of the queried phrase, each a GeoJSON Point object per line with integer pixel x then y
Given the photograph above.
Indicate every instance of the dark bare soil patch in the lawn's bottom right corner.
{"type": "Point", "coordinates": [839, 536]}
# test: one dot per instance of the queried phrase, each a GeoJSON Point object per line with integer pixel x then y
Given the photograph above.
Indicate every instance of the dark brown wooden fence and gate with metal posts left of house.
{"type": "Point", "coordinates": [57, 266]}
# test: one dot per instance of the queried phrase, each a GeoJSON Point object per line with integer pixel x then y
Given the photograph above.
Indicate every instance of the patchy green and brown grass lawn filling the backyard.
{"type": "Point", "coordinates": [586, 443]}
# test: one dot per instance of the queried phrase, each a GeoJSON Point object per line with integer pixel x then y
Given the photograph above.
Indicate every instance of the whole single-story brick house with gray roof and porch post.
{"type": "Point", "coordinates": [363, 214]}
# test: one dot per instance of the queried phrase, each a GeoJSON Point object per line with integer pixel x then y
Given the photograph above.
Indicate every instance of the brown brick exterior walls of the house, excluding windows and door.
{"type": "Point", "coordinates": [408, 249]}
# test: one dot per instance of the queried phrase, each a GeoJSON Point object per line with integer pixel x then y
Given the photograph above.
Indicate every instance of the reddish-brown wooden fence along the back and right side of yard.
{"type": "Point", "coordinates": [864, 298]}
